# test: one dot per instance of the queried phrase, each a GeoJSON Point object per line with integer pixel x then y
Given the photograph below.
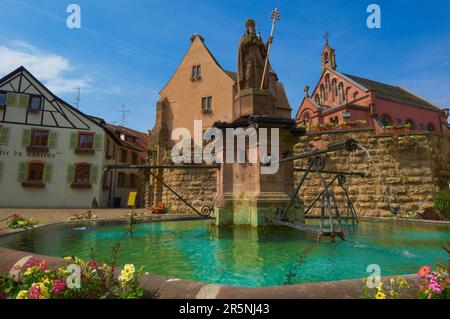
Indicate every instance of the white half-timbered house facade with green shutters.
{"type": "Point", "coordinates": [51, 155]}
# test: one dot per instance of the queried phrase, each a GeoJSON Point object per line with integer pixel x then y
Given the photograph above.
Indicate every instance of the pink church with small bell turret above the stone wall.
{"type": "Point", "coordinates": [343, 100]}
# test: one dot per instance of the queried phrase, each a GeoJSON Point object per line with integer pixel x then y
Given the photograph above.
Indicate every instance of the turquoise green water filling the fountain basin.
{"type": "Point", "coordinates": [197, 250]}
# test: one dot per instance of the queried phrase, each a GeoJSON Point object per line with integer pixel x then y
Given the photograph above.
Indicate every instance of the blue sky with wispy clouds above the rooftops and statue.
{"type": "Point", "coordinates": [127, 50]}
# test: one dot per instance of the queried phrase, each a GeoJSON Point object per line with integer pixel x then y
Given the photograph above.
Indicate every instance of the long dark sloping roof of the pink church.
{"type": "Point", "coordinates": [391, 92]}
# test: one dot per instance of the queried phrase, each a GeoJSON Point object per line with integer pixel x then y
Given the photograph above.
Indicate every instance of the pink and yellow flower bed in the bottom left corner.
{"type": "Point", "coordinates": [78, 280]}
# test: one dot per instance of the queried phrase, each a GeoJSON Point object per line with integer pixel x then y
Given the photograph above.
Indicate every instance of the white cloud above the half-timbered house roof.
{"type": "Point", "coordinates": [49, 68]}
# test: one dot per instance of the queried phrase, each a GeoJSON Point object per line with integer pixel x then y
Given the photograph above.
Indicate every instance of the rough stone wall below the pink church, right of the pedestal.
{"type": "Point", "coordinates": [412, 171]}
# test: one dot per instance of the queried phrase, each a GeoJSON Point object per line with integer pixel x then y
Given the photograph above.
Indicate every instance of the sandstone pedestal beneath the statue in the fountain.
{"type": "Point", "coordinates": [244, 195]}
